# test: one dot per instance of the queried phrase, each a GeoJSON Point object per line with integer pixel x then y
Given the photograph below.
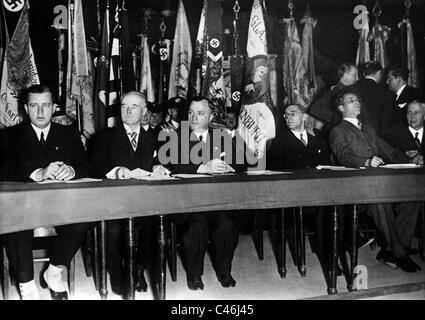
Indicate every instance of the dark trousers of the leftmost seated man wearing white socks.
{"type": "Point", "coordinates": [19, 249]}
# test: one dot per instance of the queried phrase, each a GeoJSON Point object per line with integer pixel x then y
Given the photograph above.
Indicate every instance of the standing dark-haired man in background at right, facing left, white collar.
{"type": "Point", "coordinates": [397, 83]}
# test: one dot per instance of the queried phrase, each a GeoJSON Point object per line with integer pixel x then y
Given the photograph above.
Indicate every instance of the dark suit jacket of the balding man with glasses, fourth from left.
{"type": "Point", "coordinates": [288, 152]}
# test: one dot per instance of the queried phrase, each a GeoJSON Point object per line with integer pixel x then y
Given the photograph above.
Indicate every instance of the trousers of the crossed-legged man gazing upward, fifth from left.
{"type": "Point", "coordinates": [397, 223]}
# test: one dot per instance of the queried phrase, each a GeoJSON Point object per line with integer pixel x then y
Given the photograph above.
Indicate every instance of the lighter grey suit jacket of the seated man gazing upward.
{"type": "Point", "coordinates": [352, 146]}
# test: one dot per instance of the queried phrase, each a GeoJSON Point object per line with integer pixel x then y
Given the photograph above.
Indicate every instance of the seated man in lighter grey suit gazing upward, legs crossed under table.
{"type": "Point", "coordinates": [357, 145]}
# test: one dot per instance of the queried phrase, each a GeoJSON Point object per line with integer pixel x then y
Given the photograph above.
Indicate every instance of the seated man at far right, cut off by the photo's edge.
{"type": "Point", "coordinates": [410, 138]}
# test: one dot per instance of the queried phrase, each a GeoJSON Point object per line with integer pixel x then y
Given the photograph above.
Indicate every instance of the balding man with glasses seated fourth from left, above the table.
{"type": "Point", "coordinates": [296, 149]}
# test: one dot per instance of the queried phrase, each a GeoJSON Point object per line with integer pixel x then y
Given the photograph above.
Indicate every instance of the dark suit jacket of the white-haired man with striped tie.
{"type": "Point", "coordinates": [113, 148]}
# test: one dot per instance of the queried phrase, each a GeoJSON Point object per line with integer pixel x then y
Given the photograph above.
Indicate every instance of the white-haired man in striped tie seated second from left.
{"type": "Point", "coordinates": [124, 152]}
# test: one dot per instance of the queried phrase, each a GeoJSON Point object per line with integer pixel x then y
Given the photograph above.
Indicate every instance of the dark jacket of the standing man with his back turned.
{"type": "Point", "coordinates": [379, 109]}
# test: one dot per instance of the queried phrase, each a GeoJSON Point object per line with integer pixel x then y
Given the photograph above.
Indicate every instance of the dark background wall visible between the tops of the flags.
{"type": "Point", "coordinates": [335, 38]}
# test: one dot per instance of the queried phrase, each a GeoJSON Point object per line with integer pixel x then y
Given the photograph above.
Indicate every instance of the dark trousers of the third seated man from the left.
{"type": "Point", "coordinates": [197, 229]}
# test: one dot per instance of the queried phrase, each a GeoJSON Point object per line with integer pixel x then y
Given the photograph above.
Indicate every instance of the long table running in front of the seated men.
{"type": "Point", "coordinates": [28, 205]}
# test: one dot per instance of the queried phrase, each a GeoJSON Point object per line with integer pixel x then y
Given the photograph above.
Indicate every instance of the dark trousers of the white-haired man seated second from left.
{"type": "Point", "coordinates": [115, 239]}
